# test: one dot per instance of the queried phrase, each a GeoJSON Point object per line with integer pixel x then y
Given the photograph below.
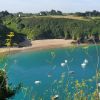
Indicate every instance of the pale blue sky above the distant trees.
{"type": "Point", "coordinates": [35, 6]}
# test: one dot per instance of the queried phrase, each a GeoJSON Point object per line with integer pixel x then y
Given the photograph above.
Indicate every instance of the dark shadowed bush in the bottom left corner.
{"type": "Point", "coordinates": [6, 90]}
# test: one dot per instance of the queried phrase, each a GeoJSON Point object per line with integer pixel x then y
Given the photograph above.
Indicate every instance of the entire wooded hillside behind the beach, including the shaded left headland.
{"type": "Point", "coordinates": [38, 27]}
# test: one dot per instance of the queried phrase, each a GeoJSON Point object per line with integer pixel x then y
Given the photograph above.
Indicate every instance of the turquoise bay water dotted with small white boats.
{"type": "Point", "coordinates": [45, 73]}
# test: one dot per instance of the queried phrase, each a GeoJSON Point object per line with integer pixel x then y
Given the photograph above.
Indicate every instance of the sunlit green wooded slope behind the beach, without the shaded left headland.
{"type": "Point", "coordinates": [51, 28]}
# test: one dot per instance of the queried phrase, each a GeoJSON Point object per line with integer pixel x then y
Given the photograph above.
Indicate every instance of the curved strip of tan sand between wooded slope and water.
{"type": "Point", "coordinates": [41, 44]}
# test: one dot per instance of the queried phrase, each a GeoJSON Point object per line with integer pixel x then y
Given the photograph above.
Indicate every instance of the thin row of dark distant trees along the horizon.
{"type": "Point", "coordinates": [93, 13]}
